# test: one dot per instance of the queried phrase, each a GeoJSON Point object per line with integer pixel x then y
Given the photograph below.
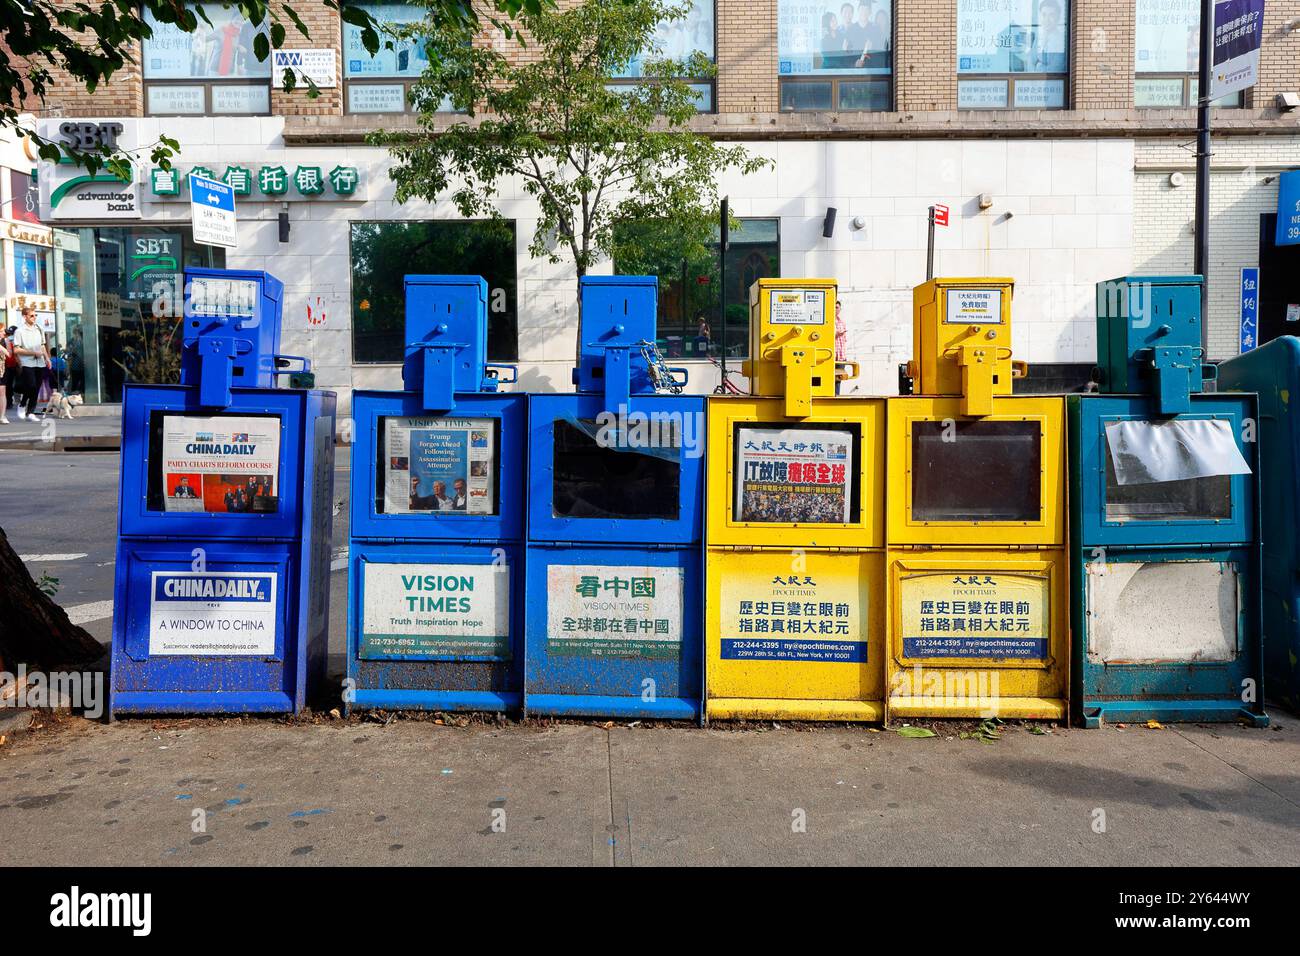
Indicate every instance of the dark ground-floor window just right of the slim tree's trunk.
{"type": "Point", "coordinates": [694, 292]}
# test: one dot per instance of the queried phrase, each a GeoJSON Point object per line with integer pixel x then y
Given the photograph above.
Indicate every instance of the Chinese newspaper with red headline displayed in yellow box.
{"type": "Point", "coordinates": [795, 475]}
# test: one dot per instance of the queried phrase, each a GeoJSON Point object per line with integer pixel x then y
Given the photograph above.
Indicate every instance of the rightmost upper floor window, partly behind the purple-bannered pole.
{"type": "Point", "coordinates": [1168, 55]}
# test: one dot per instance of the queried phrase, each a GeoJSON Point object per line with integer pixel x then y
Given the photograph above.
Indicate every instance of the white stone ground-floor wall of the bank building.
{"type": "Point", "coordinates": [1071, 226]}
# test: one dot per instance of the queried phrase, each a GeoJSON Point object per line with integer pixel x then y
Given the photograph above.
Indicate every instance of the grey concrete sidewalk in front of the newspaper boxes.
{"type": "Point", "coordinates": [417, 793]}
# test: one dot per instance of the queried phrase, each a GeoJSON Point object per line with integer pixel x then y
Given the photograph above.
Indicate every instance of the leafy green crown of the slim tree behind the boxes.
{"type": "Point", "coordinates": [592, 154]}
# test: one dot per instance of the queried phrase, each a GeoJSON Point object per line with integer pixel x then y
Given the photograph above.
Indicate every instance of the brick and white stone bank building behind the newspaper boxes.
{"type": "Point", "coordinates": [1060, 133]}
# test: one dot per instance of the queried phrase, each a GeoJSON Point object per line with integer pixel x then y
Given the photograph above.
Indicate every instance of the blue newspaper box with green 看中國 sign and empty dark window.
{"type": "Point", "coordinates": [614, 524]}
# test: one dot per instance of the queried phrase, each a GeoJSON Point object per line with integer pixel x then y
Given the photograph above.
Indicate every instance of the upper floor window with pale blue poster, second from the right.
{"type": "Point", "coordinates": [1013, 54]}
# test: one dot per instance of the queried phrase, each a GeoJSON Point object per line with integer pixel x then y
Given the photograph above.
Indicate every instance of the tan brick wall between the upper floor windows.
{"type": "Point", "coordinates": [925, 80]}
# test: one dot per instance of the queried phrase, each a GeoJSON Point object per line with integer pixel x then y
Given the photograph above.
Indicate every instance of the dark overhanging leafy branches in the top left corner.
{"type": "Point", "coordinates": [93, 41]}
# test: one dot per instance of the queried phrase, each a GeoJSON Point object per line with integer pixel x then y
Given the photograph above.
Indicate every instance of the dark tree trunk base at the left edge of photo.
{"type": "Point", "coordinates": [33, 629]}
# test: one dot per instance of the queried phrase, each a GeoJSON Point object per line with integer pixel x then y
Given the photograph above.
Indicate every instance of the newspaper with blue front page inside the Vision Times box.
{"type": "Point", "coordinates": [439, 465]}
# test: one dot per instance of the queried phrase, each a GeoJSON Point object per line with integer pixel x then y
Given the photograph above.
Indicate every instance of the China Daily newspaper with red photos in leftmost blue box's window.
{"type": "Point", "coordinates": [226, 465]}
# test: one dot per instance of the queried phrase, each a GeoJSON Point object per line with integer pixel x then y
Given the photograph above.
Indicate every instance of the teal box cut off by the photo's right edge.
{"type": "Point", "coordinates": [1273, 373]}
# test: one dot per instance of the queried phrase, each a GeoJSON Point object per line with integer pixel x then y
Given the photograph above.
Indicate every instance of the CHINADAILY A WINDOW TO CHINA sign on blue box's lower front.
{"type": "Point", "coordinates": [216, 615]}
